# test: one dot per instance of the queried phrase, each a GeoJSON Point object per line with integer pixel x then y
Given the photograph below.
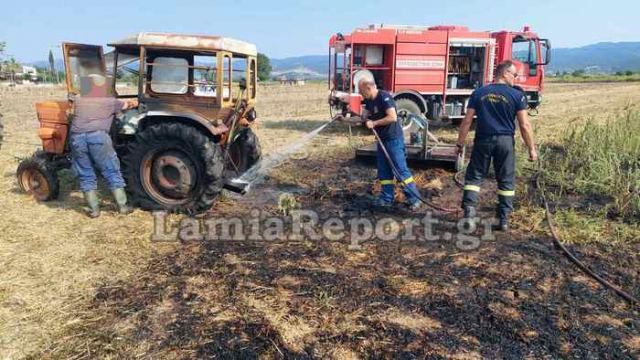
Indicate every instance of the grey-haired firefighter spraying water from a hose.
{"type": "Point", "coordinates": [380, 114]}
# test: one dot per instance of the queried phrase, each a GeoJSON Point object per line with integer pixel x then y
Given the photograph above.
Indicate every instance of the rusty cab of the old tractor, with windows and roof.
{"type": "Point", "coordinates": [192, 78]}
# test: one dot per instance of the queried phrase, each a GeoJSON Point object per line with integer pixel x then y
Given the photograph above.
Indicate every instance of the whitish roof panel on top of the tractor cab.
{"type": "Point", "coordinates": [187, 42]}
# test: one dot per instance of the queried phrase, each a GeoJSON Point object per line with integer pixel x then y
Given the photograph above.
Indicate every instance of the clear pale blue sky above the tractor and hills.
{"type": "Point", "coordinates": [282, 28]}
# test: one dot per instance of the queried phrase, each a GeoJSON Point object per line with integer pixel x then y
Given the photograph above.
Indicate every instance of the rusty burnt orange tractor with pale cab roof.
{"type": "Point", "coordinates": [190, 133]}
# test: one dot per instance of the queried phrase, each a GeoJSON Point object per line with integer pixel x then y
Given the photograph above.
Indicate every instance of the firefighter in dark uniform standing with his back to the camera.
{"type": "Point", "coordinates": [497, 107]}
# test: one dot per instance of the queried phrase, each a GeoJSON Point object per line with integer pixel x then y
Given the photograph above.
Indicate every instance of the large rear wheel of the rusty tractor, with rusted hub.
{"type": "Point", "coordinates": [173, 167]}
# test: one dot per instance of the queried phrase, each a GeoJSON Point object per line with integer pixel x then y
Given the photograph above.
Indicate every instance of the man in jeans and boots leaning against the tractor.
{"type": "Point", "coordinates": [91, 145]}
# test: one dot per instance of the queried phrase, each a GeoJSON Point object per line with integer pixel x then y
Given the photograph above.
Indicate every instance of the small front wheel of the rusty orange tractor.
{"type": "Point", "coordinates": [37, 177]}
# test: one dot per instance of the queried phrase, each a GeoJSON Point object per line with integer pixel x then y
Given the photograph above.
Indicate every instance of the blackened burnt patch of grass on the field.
{"type": "Point", "coordinates": [513, 297]}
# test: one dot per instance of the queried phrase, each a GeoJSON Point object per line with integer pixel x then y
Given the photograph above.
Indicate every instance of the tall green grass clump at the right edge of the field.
{"type": "Point", "coordinates": [602, 161]}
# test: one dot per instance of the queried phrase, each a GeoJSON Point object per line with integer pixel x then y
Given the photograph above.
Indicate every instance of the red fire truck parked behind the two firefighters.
{"type": "Point", "coordinates": [431, 71]}
